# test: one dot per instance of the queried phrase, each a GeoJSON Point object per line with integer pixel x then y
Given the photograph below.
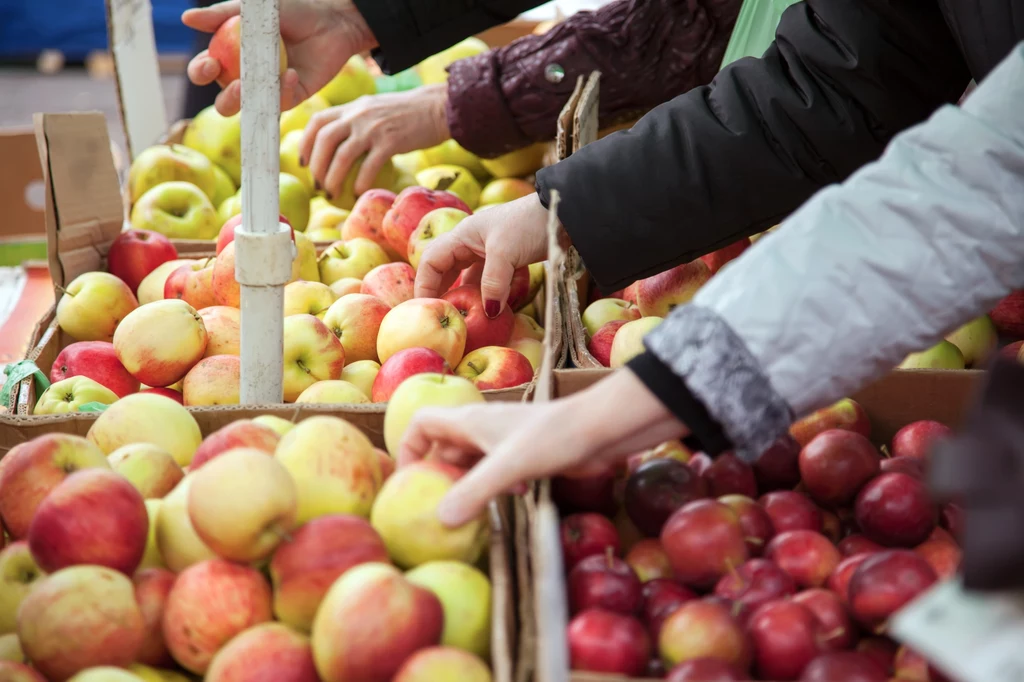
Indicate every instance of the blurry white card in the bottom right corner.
{"type": "Point", "coordinates": [971, 636]}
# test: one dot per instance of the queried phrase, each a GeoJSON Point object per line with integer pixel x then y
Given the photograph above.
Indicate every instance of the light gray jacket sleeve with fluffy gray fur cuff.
{"type": "Point", "coordinates": [907, 250]}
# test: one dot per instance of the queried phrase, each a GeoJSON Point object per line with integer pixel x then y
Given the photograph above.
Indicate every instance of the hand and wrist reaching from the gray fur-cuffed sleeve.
{"type": "Point", "coordinates": [509, 445]}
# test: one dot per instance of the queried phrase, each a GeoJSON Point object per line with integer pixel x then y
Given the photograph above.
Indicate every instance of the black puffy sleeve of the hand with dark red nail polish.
{"type": "Point", "coordinates": [734, 158]}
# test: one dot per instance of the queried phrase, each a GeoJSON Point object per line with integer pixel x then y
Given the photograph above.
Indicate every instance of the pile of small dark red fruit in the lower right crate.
{"type": "Point", "coordinates": [710, 571]}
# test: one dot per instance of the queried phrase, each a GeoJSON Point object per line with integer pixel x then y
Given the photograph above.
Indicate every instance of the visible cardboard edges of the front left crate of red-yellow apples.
{"type": "Point", "coordinates": [502, 552]}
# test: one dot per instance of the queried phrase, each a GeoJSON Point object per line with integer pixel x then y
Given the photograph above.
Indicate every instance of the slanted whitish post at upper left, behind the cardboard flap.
{"type": "Point", "coordinates": [141, 100]}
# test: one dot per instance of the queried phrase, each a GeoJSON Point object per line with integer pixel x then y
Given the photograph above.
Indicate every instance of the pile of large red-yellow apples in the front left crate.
{"type": "Point", "coordinates": [267, 551]}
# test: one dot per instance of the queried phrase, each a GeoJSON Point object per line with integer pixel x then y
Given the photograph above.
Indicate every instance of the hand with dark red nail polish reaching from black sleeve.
{"type": "Point", "coordinates": [503, 238]}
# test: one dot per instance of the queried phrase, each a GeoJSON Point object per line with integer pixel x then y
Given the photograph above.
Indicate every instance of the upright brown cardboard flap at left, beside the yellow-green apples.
{"type": "Point", "coordinates": [84, 212]}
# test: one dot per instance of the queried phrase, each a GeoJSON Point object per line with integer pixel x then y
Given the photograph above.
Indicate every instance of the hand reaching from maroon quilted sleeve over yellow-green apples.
{"type": "Point", "coordinates": [377, 125]}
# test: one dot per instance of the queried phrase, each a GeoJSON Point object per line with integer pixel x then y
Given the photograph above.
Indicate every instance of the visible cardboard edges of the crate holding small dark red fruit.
{"type": "Point", "coordinates": [891, 403]}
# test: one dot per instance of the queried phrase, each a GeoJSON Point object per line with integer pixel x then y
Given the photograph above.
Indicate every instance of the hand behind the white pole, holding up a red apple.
{"type": "Point", "coordinates": [320, 37]}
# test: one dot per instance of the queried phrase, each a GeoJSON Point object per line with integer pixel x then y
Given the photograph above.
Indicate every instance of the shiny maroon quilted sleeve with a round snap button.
{"type": "Point", "coordinates": [648, 52]}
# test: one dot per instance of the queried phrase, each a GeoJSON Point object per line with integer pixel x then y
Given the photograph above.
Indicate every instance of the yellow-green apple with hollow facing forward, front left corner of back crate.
{"type": "Point", "coordinates": [179, 210]}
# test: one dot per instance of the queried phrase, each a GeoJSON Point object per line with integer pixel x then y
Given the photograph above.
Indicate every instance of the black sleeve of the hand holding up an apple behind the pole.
{"type": "Point", "coordinates": [410, 31]}
